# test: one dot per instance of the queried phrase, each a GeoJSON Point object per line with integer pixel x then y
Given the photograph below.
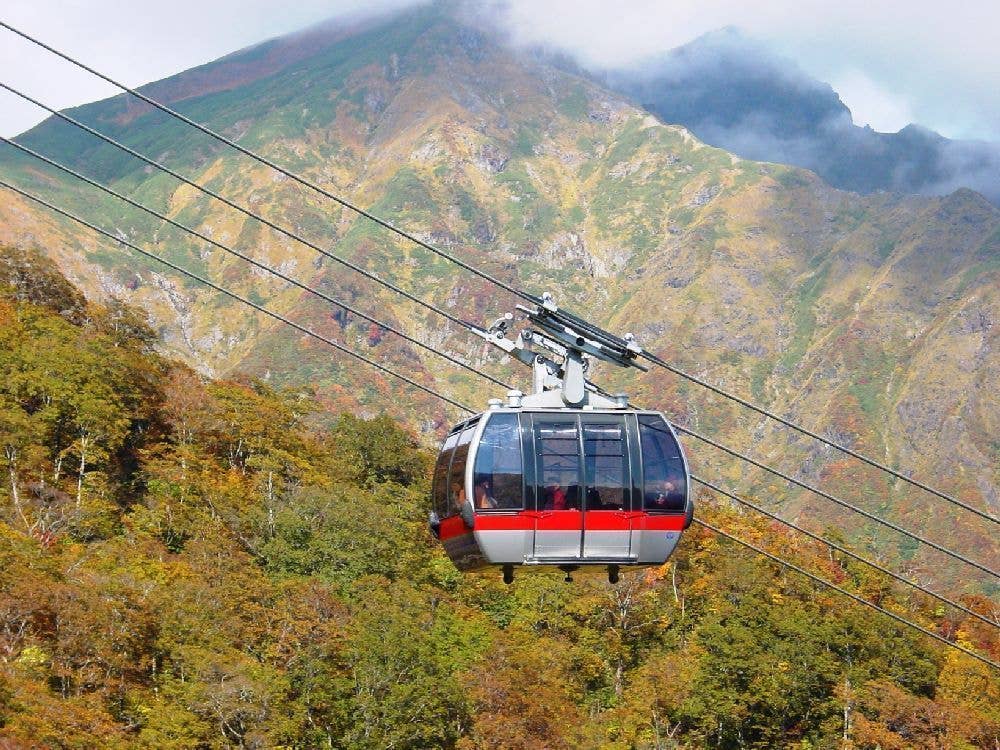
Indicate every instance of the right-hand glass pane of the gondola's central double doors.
{"type": "Point", "coordinates": [606, 461]}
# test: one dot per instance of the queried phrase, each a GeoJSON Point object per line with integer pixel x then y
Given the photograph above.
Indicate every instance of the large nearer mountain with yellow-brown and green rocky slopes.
{"type": "Point", "coordinates": [871, 318]}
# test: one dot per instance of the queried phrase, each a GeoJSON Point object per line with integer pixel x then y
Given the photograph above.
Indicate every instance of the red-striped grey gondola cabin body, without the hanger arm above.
{"type": "Point", "coordinates": [518, 486]}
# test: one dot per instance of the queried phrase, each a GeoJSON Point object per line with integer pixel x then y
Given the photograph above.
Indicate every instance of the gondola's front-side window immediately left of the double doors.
{"type": "Point", "coordinates": [498, 481]}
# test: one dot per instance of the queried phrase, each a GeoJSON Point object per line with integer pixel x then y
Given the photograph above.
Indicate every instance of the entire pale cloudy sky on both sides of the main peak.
{"type": "Point", "coordinates": [892, 62]}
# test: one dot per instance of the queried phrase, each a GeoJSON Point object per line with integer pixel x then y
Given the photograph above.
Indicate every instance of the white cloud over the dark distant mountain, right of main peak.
{"type": "Point", "coordinates": [937, 60]}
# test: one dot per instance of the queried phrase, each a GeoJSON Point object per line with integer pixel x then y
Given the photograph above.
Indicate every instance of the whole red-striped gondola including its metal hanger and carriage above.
{"type": "Point", "coordinates": [567, 475]}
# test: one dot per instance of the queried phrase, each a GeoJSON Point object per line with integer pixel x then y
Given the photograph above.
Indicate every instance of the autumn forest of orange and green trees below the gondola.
{"type": "Point", "coordinates": [189, 563]}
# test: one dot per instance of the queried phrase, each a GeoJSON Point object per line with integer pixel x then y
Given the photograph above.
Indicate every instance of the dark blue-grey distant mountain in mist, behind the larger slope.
{"type": "Point", "coordinates": [736, 94]}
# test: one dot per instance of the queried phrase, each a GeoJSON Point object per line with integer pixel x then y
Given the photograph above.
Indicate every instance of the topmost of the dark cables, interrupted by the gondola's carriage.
{"type": "Point", "coordinates": [488, 277]}
